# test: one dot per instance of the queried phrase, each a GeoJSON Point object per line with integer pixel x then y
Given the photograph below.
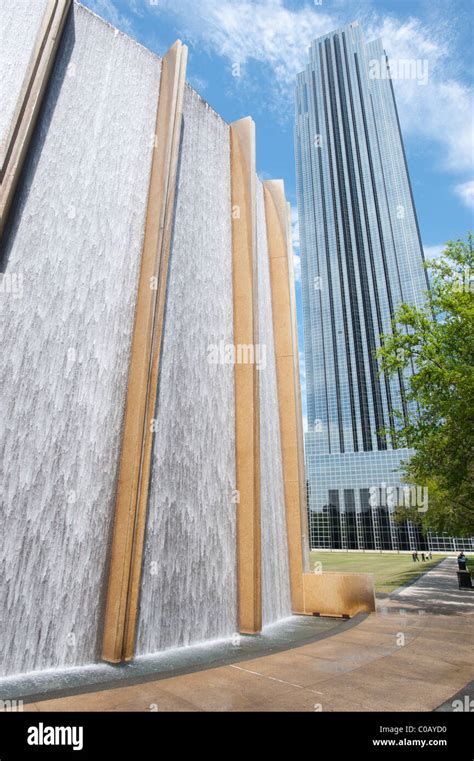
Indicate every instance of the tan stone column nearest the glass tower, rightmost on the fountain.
{"type": "Point", "coordinates": [289, 395]}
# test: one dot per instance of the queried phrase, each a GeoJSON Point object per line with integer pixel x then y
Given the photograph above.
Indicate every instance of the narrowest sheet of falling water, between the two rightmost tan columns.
{"type": "Point", "coordinates": [275, 571]}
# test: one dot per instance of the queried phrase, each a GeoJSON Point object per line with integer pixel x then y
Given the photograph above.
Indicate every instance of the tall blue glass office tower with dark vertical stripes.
{"type": "Point", "coordinates": [361, 256]}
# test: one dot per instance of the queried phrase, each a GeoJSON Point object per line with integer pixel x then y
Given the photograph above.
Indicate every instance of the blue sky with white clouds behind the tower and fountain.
{"type": "Point", "coordinates": [244, 56]}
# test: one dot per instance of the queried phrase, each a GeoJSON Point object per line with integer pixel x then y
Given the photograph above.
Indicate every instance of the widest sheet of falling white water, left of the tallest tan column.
{"type": "Point", "coordinates": [75, 240]}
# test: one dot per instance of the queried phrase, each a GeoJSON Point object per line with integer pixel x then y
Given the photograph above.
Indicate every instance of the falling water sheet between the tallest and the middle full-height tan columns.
{"type": "Point", "coordinates": [189, 572]}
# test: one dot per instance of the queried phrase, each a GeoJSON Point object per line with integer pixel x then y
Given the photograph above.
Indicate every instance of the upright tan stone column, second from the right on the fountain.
{"type": "Point", "coordinates": [247, 404]}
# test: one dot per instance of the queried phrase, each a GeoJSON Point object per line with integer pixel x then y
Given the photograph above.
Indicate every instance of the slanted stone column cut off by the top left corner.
{"type": "Point", "coordinates": [13, 152]}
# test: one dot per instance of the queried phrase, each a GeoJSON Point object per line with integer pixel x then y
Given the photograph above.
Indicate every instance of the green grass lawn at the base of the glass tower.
{"type": "Point", "coordinates": [391, 571]}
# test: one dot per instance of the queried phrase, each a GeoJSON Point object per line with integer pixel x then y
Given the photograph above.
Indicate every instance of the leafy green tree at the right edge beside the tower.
{"type": "Point", "coordinates": [434, 347]}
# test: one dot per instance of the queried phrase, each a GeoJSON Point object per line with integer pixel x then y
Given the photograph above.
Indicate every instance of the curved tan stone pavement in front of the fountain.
{"type": "Point", "coordinates": [414, 654]}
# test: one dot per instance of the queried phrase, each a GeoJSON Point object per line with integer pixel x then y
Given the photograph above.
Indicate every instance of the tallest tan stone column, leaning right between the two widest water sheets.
{"type": "Point", "coordinates": [134, 469]}
